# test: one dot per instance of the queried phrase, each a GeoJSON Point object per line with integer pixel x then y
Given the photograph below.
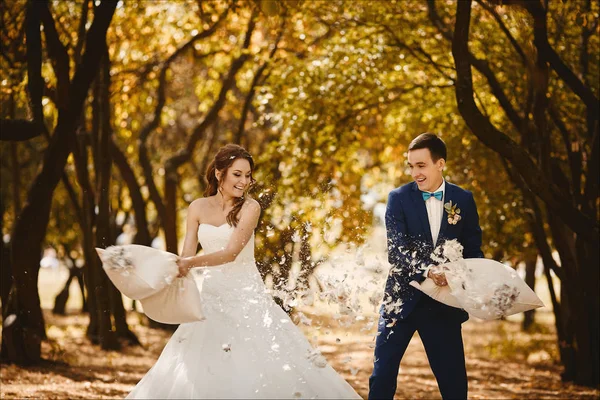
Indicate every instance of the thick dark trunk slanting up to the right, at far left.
{"type": "Point", "coordinates": [23, 337]}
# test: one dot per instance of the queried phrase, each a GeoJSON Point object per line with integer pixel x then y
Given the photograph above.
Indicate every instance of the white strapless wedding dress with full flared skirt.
{"type": "Point", "coordinates": [247, 347]}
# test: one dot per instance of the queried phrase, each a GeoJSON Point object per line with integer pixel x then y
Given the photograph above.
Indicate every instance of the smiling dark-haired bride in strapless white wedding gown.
{"type": "Point", "coordinates": [247, 347]}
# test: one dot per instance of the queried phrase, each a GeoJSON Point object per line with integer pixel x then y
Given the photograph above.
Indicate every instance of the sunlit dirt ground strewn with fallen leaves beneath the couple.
{"type": "Point", "coordinates": [501, 361]}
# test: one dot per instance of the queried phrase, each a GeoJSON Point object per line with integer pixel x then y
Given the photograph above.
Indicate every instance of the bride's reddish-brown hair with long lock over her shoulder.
{"type": "Point", "coordinates": [222, 162]}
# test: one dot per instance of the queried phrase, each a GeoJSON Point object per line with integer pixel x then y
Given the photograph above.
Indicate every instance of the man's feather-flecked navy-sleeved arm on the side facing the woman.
{"type": "Point", "coordinates": [399, 243]}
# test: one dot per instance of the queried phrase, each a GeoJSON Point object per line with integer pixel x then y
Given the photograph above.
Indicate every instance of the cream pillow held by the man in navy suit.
{"type": "Point", "coordinates": [488, 289]}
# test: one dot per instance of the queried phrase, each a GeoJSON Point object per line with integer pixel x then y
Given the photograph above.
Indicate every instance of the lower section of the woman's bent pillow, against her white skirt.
{"type": "Point", "coordinates": [178, 303]}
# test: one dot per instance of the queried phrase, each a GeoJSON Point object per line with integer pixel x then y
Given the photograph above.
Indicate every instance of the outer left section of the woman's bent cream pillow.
{"type": "Point", "coordinates": [138, 271]}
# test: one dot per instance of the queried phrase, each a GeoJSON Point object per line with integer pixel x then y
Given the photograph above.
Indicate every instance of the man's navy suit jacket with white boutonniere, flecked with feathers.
{"type": "Point", "coordinates": [410, 243]}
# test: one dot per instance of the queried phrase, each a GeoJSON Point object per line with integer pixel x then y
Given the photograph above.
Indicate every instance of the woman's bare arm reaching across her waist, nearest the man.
{"type": "Point", "coordinates": [239, 238]}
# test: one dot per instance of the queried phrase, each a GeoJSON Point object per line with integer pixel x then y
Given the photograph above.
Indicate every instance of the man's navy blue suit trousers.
{"type": "Point", "coordinates": [439, 327]}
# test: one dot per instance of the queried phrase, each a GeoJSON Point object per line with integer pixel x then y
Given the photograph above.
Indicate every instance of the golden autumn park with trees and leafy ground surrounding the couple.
{"type": "Point", "coordinates": [112, 111]}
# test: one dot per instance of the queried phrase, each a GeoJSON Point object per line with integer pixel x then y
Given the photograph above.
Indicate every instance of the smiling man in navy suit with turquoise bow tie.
{"type": "Point", "coordinates": [419, 218]}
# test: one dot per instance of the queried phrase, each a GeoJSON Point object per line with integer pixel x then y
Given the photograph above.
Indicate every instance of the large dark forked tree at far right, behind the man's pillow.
{"type": "Point", "coordinates": [574, 223]}
